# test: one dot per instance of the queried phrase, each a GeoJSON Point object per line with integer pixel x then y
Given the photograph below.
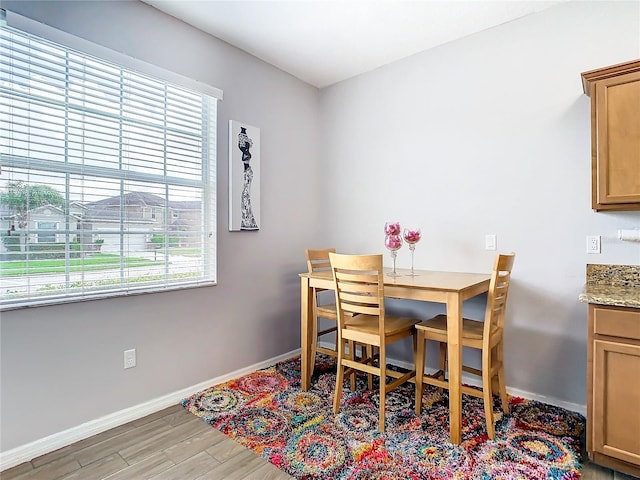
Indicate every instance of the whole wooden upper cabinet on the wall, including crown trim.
{"type": "Point", "coordinates": [615, 135]}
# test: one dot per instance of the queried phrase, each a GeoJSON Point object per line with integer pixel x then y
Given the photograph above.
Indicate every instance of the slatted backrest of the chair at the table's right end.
{"type": "Point", "coordinates": [498, 293]}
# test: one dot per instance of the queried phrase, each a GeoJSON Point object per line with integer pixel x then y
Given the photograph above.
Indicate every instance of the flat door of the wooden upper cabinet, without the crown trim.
{"type": "Point", "coordinates": [618, 139]}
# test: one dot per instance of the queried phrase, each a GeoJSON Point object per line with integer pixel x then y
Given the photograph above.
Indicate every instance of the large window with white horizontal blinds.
{"type": "Point", "coordinates": [95, 157]}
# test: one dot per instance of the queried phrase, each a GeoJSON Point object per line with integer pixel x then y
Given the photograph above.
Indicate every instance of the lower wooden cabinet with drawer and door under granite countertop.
{"type": "Point", "coordinates": [613, 388]}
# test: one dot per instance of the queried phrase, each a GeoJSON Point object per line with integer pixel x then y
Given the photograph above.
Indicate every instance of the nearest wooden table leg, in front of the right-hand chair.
{"type": "Point", "coordinates": [454, 345]}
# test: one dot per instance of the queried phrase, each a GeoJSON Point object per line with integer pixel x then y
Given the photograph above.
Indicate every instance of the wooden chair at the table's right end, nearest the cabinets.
{"type": "Point", "coordinates": [485, 335]}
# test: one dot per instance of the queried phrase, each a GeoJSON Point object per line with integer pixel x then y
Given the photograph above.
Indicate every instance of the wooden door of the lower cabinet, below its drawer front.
{"type": "Point", "coordinates": [616, 402]}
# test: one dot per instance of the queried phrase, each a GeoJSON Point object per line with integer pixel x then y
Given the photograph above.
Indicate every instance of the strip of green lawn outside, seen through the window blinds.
{"type": "Point", "coordinates": [96, 261]}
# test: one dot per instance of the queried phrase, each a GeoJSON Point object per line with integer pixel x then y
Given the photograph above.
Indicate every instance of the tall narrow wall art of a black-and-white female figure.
{"type": "Point", "coordinates": [244, 177]}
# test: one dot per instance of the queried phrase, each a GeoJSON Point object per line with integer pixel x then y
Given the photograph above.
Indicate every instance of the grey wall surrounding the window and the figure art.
{"type": "Point", "coordinates": [63, 365]}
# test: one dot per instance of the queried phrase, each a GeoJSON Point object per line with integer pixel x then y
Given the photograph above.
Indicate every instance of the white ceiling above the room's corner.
{"type": "Point", "coordinates": [325, 41]}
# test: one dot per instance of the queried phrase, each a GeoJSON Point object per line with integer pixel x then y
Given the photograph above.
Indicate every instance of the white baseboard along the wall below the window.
{"type": "Point", "coordinates": [48, 444]}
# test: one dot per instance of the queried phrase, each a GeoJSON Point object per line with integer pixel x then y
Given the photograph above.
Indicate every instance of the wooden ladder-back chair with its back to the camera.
{"type": "Point", "coordinates": [359, 290]}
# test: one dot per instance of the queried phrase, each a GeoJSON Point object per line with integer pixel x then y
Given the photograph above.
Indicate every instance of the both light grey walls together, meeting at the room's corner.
{"type": "Point", "coordinates": [489, 134]}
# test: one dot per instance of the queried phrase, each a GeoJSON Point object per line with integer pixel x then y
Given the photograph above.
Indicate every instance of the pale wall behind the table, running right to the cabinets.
{"type": "Point", "coordinates": [489, 134]}
